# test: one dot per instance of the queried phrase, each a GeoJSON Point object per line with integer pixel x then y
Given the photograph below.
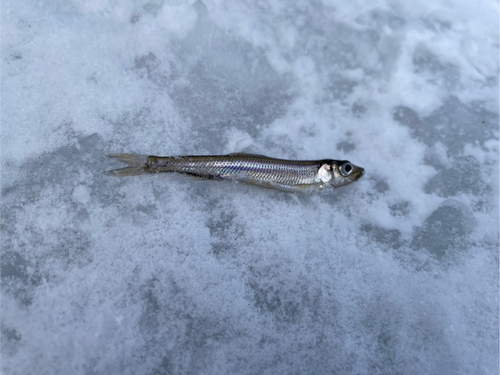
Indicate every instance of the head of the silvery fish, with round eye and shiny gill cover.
{"type": "Point", "coordinates": [336, 173]}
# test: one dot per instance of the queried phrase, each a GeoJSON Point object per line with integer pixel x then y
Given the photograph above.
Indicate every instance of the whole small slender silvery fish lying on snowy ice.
{"type": "Point", "coordinates": [259, 170]}
